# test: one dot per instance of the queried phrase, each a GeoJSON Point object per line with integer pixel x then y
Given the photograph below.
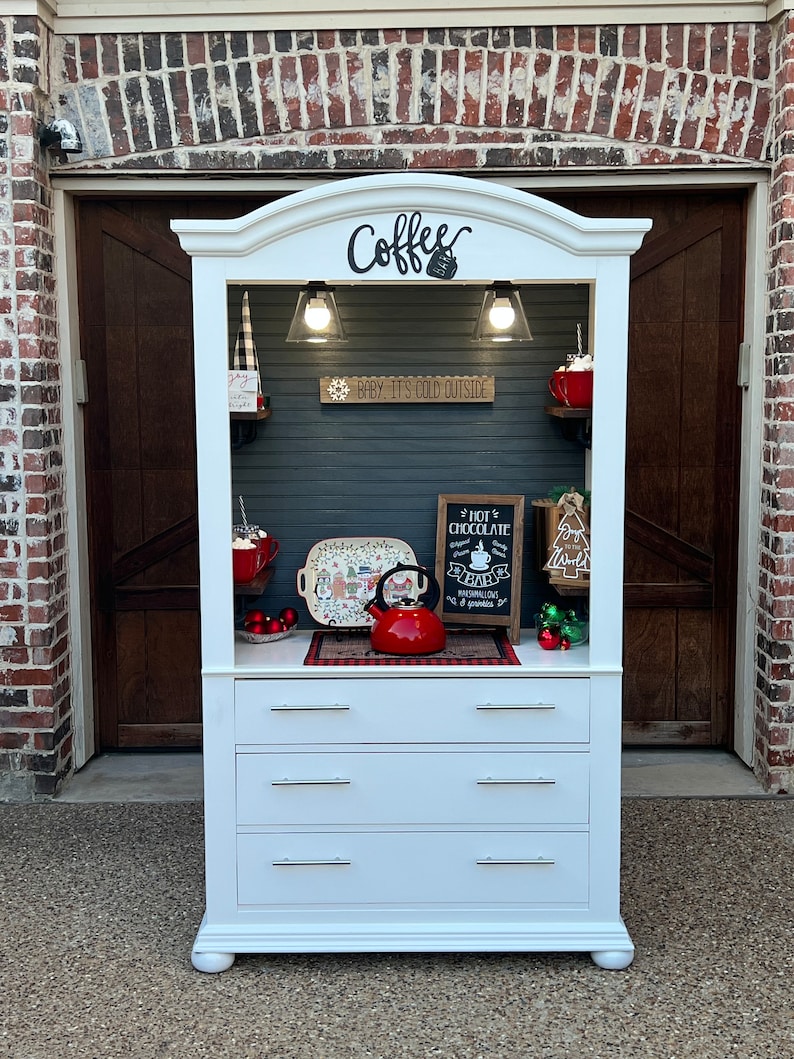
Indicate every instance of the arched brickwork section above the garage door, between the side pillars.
{"type": "Point", "coordinates": [609, 97]}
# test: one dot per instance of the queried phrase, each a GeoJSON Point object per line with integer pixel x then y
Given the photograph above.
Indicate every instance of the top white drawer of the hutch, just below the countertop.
{"type": "Point", "coordinates": [408, 710]}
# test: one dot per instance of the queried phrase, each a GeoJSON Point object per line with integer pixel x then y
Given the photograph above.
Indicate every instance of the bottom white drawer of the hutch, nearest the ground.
{"type": "Point", "coordinates": [399, 869]}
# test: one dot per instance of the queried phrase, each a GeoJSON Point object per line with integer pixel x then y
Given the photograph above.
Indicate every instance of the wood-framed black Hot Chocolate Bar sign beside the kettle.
{"type": "Point", "coordinates": [478, 560]}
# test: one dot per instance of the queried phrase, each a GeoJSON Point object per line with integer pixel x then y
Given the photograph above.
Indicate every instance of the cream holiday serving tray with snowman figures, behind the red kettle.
{"type": "Point", "coordinates": [341, 575]}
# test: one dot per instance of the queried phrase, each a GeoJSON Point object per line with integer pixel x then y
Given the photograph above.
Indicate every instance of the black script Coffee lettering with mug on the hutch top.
{"type": "Point", "coordinates": [413, 247]}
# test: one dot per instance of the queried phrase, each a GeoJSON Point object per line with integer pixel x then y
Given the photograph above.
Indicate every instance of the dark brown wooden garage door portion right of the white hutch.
{"type": "Point", "coordinates": [682, 463]}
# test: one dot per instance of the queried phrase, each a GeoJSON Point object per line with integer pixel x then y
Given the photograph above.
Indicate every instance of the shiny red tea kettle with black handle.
{"type": "Point", "coordinates": [410, 626]}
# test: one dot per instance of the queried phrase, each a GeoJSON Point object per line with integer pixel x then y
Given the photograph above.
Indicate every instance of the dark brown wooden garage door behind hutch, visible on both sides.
{"type": "Point", "coordinates": [682, 477]}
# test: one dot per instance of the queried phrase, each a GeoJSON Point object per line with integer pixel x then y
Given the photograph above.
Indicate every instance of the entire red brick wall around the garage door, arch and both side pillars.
{"type": "Point", "coordinates": [517, 99]}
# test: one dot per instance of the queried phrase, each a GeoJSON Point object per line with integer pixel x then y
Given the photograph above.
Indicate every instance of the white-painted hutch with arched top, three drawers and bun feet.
{"type": "Point", "coordinates": [412, 809]}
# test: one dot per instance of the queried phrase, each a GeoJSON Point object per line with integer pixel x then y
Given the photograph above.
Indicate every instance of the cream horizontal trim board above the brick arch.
{"type": "Point", "coordinates": [175, 16]}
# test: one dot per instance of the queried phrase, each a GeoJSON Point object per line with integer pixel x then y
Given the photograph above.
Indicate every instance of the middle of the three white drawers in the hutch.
{"type": "Point", "coordinates": [387, 788]}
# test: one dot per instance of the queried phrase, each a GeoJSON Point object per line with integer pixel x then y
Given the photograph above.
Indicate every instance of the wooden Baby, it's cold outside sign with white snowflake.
{"type": "Point", "coordinates": [406, 389]}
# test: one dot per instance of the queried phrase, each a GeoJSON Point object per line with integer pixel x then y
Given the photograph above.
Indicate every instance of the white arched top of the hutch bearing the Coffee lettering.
{"type": "Point", "coordinates": [387, 228]}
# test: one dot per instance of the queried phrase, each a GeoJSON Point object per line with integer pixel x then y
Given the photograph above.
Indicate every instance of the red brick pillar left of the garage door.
{"type": "Point", "coordinates": [35, 710]}
